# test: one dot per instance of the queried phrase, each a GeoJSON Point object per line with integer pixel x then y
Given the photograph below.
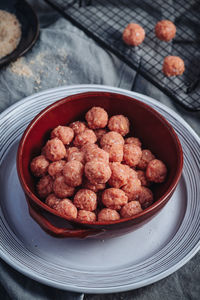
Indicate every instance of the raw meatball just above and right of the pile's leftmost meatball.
{"type": "Point", "coordinates": [54, 150]}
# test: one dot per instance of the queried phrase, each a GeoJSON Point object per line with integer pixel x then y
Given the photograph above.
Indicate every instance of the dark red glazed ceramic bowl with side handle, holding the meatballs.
{"type": "Point", "coordinates": [154, 131]}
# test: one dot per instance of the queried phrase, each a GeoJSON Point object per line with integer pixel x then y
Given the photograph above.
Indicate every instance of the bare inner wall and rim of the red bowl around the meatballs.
{"type": "Point", "coordinates": [153, 130]}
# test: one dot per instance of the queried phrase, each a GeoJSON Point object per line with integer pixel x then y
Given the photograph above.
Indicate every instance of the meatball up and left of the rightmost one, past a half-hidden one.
{"type": "Point", "coordinates": [132, 154]}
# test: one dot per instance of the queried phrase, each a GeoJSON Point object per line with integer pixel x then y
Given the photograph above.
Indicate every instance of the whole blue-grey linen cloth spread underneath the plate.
{"type": "Point", "coordinates": [64, 55]}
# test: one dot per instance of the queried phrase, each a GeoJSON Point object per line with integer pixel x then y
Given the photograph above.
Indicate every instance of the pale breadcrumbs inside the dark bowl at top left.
{"type": "Point", "coordinates": [10, 33]}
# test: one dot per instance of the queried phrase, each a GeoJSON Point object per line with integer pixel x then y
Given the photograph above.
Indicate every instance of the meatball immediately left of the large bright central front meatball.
{"type": "Point", "coordinates": [73, 173]}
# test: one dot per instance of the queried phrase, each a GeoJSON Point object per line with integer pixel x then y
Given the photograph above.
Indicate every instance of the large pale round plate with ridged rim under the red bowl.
{"type": "Point", "coordinates": [97, 266]}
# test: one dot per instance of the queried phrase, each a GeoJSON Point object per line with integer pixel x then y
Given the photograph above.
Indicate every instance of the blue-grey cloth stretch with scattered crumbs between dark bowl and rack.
{"type": "Point", "coordinates": [63, 55]}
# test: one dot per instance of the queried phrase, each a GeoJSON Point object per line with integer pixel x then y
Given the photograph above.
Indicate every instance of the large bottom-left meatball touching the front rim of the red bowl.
{"type": "Point", "coordinates": [66, 208]}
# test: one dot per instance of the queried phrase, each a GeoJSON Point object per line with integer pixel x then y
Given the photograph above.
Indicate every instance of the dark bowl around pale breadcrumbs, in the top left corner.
{"type": "Point", "coordinates": [29, 26]}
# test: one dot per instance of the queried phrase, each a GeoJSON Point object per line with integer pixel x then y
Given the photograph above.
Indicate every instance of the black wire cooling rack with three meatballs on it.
{"type": "Point", "coordinates": [105, 20]}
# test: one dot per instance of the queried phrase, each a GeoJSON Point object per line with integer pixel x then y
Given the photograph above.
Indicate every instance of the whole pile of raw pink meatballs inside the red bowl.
{"type": "Point", "coordinates": [90, 172]}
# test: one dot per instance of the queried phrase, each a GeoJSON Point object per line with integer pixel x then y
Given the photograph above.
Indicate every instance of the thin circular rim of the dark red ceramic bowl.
{"type": "Point", "coordinates": [161, 201]}
